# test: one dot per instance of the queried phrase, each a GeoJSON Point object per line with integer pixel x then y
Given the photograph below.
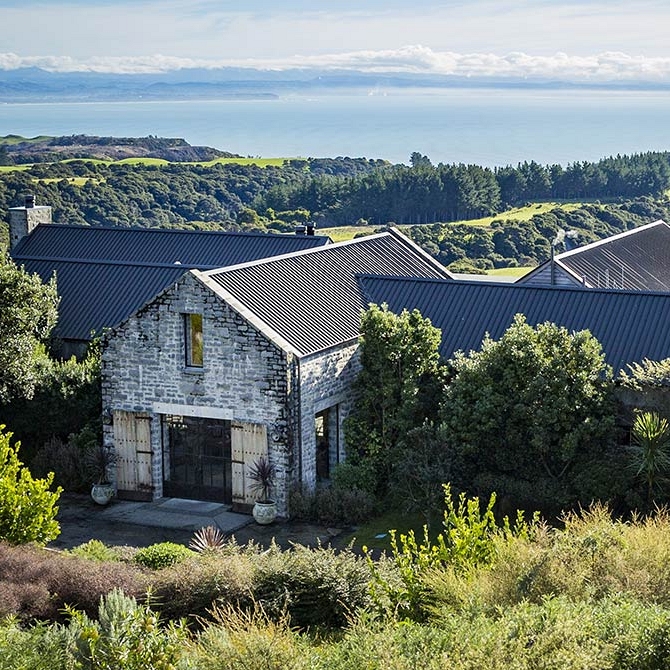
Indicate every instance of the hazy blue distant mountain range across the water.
{"type": "Point", "coordinates": [37, 85]}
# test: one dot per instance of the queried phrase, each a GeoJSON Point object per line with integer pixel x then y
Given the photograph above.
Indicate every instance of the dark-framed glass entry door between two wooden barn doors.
{"type": "Point", "coordinates": [197, 460]}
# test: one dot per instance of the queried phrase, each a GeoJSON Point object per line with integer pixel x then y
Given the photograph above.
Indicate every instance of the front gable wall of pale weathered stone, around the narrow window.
{"type": "Point", "coordinates": [244, 376]}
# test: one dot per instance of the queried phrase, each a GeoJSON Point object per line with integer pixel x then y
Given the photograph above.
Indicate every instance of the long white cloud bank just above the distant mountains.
{"type": "Point", "coordinates": [417, 59]}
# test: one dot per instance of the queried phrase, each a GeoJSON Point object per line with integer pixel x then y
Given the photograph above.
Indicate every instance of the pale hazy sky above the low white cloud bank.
{"type": "Point", "coordinates": [218, 29]}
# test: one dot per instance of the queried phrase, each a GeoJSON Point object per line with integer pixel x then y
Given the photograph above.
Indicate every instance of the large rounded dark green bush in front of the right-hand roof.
{"type": "Point", "coordinates": [534, 407]}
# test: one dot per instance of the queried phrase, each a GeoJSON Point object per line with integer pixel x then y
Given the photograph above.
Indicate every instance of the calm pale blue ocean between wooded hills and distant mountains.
{"type": "Point", "coordinates": [489, 127]}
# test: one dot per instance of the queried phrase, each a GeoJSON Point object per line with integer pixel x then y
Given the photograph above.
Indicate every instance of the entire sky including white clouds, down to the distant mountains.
{"type": "Point", "coordinates": [585, 40]}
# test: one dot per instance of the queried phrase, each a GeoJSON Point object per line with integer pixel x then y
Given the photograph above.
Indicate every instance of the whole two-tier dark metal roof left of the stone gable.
{"type": "Point", "coordinates": [105, 274]}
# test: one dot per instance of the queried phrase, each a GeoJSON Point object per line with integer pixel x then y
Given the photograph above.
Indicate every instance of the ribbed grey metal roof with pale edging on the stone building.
{"type": "Point", "coordinates": [312, 299]}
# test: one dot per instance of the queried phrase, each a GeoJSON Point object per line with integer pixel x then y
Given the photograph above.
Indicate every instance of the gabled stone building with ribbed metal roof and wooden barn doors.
{"type": "Point", "coordinates": [254, 360]}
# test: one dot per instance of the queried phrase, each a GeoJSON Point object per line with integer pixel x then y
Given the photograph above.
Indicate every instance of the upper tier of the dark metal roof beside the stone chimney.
{"type": "Point", "coordinates": [192, 248]}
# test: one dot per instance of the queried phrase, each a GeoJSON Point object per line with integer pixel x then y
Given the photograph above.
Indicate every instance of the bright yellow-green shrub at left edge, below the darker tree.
{"type": "Point", "coordinates": [27, 506]}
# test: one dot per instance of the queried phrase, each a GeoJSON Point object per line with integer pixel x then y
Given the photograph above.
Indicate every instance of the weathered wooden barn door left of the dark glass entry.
{"type": "Point", "coordinates": [132, 441]}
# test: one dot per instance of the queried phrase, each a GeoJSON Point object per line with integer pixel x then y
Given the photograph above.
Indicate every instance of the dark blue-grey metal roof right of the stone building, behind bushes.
{"type": "Point", "coordinates": [630, 326]}
